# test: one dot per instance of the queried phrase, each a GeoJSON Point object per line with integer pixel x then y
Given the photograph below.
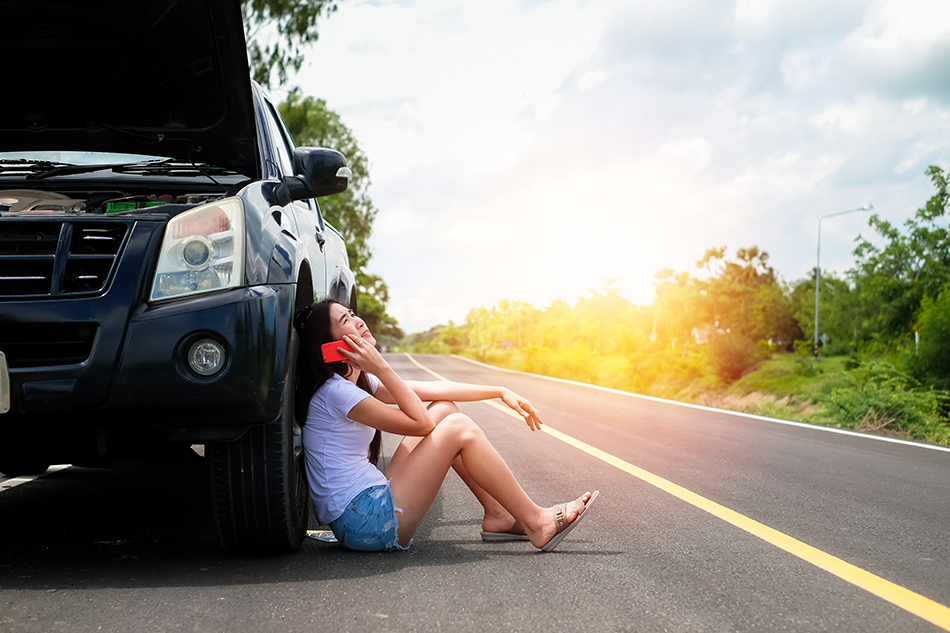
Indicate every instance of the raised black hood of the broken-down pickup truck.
{"type": "Point", "coordinates": [153, 77]}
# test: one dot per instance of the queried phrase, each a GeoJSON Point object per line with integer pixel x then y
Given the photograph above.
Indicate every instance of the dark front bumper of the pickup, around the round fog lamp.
{"type": "Point", "coordinates": [146, 383]}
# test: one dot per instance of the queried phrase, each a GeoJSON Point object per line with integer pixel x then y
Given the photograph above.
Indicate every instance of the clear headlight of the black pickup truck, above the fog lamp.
{"type": "Point", "coordinates": [203, 251]}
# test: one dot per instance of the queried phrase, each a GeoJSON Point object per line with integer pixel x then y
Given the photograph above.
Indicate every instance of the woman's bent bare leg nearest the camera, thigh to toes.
{"type": "Point", "coordinates": [417, 476]}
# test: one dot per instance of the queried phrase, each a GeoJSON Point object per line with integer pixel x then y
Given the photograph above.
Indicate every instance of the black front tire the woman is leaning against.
{"type": "Point", "coordinates": [258, 484]}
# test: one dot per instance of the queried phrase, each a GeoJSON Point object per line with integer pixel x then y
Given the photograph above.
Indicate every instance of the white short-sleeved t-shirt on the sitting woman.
{"type": "Point", "coordinates": [335, 448]}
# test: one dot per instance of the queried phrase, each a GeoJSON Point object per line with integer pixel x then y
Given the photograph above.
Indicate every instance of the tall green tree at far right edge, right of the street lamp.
{"type": "Point", "coordinates": [892, 281]}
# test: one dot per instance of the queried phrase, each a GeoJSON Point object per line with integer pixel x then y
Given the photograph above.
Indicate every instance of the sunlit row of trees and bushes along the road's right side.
{"type": "Point", "coordinates": [889, 315]}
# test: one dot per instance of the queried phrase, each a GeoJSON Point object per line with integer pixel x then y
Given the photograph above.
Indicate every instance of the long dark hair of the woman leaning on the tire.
{"type": "Point", "coordinates": [313, 323]}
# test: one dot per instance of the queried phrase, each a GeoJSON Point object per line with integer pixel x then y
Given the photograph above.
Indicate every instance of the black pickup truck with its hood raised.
{"type": "Point", "coordinates": [158, 232]}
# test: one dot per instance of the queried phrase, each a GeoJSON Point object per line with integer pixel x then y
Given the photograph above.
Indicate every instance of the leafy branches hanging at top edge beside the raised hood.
{"type": "Point", "coordinates": [295, 23]}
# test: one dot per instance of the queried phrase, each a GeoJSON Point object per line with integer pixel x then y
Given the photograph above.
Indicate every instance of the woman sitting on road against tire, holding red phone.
{"type": "Point", "coordinates": [345, 407]}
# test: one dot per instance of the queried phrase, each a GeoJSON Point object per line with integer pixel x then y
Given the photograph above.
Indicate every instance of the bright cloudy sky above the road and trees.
{"type": "Point", "coordinates": [532, 149]}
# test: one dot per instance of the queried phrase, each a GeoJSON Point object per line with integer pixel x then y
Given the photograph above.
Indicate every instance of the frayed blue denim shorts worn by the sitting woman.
{"type": "Point", "coordinates": [369, 522]}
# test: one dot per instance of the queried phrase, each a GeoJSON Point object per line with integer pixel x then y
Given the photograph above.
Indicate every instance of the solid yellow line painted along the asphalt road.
{"type": "Point", "coordinates": [922, 607]}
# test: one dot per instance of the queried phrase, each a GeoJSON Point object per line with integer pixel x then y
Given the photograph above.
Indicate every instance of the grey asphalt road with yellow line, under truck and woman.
{"type": "Point", "coordinates": [685, 544]}
